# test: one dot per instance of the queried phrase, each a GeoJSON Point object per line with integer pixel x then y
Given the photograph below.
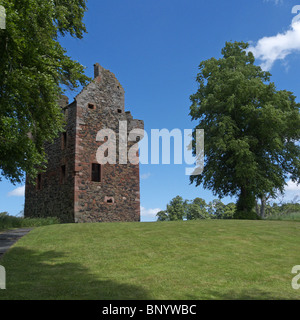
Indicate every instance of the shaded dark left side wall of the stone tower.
{"type": "Point", "coordinates": [55, 197]}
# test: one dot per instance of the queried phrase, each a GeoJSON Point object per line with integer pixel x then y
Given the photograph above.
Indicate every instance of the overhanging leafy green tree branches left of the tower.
{"type": "Point", "coordinates": [34, 68]}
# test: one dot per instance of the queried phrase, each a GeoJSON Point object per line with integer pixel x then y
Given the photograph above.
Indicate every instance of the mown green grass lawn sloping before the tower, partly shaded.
{"type": "Point", "coordinates": [208, 259]}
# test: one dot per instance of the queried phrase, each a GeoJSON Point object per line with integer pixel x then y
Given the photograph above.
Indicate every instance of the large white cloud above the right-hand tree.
{"type": "Point", "coordinates": [271, 49]}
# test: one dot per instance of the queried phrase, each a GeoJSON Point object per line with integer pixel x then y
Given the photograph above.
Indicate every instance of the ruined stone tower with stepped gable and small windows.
{"type": "Point", "coordinates": [75, 187]}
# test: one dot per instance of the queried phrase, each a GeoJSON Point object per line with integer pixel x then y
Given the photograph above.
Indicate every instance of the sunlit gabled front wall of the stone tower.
{"type": "Point", "coordinates": [116, 197]}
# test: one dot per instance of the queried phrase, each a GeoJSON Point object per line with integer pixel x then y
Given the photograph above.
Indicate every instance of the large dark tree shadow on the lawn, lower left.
{"type": "Point", "coordinates": [32, 275]}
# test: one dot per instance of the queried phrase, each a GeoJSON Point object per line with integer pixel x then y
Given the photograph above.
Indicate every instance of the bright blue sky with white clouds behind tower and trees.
{"type": "Point", "coordinates": [154, 48]}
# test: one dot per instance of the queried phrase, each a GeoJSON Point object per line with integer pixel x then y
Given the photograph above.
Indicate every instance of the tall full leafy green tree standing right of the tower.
{"type": "Point", "coordinates": [250, 129]}
